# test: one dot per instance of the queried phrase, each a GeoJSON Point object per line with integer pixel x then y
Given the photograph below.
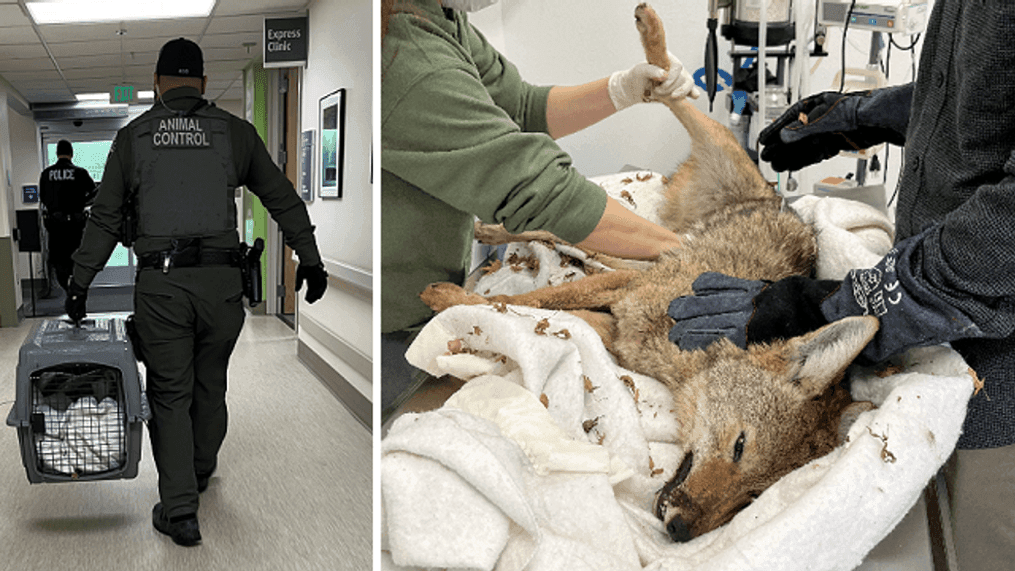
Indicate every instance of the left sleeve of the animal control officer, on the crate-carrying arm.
{"type": "Point", "coordinates": [102, 234]}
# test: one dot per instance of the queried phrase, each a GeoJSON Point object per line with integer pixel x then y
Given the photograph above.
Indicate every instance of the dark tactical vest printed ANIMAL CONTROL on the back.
{"type": "Point", "coordinates": [184, 174]}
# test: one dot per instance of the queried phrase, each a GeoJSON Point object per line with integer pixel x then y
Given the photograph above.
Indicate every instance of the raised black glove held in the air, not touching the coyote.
{"type": "Point", "coordinates": [836, 122]}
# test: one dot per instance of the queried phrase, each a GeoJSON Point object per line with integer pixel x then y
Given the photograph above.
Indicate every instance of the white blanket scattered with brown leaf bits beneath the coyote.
{"type": "Point", "coordinates": [550, 458]}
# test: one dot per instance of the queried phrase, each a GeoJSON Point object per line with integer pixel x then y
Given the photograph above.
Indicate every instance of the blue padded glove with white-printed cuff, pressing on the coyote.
{"type": "Point", "coordinates": [911, 312]}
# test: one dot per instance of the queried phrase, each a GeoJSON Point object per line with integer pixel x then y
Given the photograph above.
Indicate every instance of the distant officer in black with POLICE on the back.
{"type": "Point", "coordinates": [65, 192]}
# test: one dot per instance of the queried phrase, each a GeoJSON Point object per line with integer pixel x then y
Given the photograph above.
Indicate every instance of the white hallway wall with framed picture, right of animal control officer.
{"type": "Point", "coordinates": [335, 334]}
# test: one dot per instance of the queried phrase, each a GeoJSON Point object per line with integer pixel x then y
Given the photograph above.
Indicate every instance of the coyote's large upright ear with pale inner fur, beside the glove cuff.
{"type": "Point", "coordinates": [820, 359]}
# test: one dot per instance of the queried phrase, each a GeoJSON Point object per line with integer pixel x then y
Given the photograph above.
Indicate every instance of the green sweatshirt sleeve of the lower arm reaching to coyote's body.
{"type": "Point", "coordinates": [455, 142]}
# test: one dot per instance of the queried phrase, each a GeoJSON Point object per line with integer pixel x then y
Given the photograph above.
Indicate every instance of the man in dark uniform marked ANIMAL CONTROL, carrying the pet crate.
{"type": "Point", "coordinates": [183, 160]}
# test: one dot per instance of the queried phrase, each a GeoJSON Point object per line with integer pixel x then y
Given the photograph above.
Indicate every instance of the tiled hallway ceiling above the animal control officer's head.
{"type": "Point", "coordinates": [50, 63]}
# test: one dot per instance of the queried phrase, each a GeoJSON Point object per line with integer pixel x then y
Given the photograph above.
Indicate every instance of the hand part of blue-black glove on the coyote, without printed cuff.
{"type": "Point", "coordinates": [748, 311]}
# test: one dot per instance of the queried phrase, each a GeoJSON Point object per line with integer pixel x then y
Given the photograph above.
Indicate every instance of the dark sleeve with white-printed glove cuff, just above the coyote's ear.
{"type": "Point", "coordinates": [956, 280]}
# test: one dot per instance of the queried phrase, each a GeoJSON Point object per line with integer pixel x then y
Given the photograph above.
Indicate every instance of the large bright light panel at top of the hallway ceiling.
{"type": "Point", "coordinates": [82, 12]}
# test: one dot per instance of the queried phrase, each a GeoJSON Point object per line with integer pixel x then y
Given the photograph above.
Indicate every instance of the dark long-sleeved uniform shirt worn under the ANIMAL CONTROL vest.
{"type": "Point", "coordinates": [255, 170]}
